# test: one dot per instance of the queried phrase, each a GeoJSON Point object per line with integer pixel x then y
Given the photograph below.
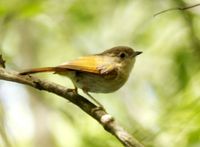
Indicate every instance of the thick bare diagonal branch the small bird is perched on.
{"type": "Point", "coordinates": [105, 119]}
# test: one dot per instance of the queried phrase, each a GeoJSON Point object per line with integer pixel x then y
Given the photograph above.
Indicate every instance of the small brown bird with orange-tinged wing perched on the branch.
{"type": "Point", "coordinates": [99, 73]}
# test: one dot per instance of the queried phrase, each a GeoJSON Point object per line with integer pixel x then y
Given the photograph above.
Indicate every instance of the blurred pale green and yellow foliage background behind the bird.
{"type": "Point", "coordinates": [159, 104]}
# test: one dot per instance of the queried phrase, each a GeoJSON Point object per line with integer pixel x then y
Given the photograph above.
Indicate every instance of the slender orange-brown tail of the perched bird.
{"type": "Point", "coordinates": [37, 70]}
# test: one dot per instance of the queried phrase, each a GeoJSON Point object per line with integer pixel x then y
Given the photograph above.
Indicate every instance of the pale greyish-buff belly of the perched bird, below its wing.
{"type": "Point", "coordinates": [98, 83]}
